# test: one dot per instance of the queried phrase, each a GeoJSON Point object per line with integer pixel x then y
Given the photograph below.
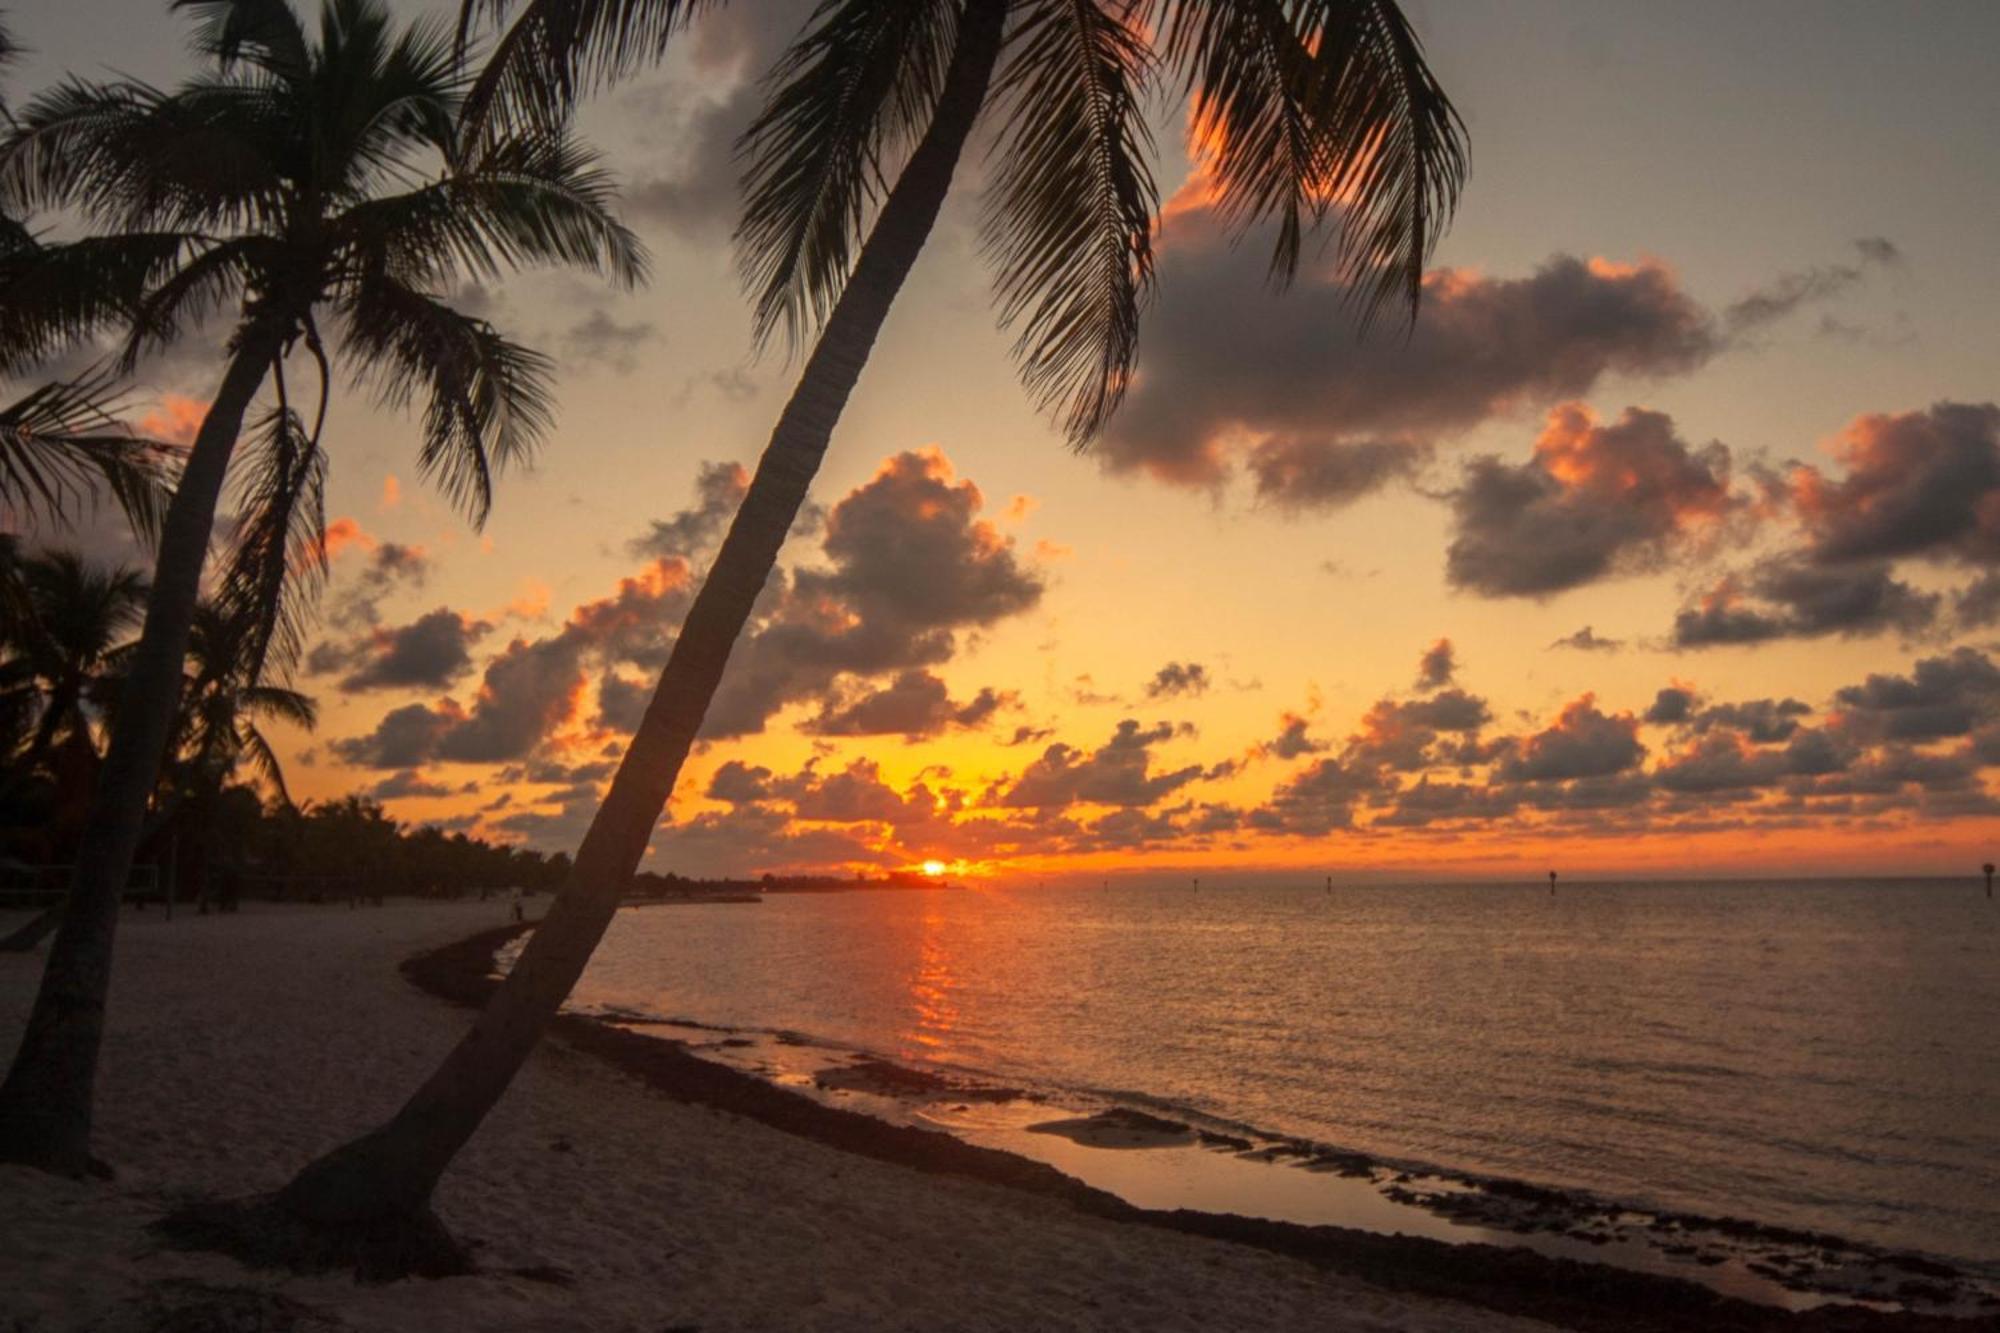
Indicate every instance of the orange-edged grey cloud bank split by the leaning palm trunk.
{"type": "Point", "coordinates": [911, 565]}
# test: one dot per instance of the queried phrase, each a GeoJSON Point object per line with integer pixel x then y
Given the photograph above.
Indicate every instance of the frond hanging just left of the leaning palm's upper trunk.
{"type": "Point", "coordinates": [847, 107]}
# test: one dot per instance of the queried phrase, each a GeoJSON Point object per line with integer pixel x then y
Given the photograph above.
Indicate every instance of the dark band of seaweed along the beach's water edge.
{"type": "Point", "coordinates": [1497, 1278]}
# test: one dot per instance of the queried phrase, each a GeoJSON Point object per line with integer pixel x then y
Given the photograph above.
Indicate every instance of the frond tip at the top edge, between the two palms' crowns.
{"type": "Point", "coordinates": [559, 51]}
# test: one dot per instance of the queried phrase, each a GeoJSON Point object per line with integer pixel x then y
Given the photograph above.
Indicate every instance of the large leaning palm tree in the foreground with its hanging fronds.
{"type": "Point", "coordinates": [1323, 113]}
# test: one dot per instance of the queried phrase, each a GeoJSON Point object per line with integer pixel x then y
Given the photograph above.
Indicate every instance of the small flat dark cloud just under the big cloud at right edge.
{"type": "Point", "coordinates": [1791, 599]}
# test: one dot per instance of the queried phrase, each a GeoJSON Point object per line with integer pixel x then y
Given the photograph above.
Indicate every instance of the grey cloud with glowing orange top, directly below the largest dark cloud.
{"type": "Point", "coordinates": [1595, 501]}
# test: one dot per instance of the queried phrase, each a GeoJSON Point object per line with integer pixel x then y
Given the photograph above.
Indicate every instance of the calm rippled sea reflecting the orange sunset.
{"type": "Point", "coordinates": [1805, 1054]}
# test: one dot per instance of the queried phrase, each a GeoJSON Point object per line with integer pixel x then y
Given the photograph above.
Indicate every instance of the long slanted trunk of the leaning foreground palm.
{"type": "Point", "coordinates": [393, 1172]}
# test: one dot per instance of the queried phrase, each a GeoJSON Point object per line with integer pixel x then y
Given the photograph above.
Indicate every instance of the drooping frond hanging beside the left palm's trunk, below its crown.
{"type": "Point", "coordinates": [277, 565]}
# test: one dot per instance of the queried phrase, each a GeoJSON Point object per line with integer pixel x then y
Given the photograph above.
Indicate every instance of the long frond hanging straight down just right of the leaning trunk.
{"type": "Point", "coordinates": [1069, 225]}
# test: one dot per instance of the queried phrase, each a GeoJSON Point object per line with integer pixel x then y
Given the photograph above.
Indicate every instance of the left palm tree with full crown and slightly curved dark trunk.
{"type": "Point", "coordinates": [319, 187]}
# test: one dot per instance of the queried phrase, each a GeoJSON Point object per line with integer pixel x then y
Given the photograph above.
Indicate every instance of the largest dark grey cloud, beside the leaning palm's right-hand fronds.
{"type": "Point", "coordinates": [1325, 413]}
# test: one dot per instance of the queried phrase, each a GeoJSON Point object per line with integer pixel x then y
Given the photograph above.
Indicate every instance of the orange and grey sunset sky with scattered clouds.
{"type": "Point", "coordinates": [1665, 543]}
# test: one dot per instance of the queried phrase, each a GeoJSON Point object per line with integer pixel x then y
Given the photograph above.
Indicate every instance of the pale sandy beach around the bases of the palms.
{"type": "Point", "coordinates": [241, 1046]}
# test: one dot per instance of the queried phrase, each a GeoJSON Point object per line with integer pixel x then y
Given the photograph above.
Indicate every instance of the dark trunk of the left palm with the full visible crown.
{"type": "Point", "coordinates": [45, 1106]}
